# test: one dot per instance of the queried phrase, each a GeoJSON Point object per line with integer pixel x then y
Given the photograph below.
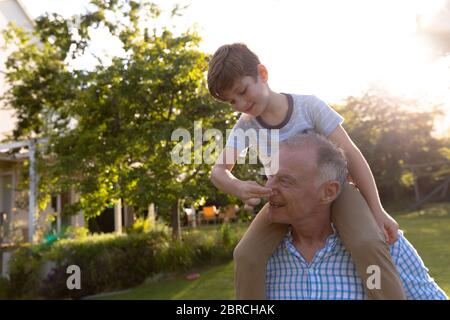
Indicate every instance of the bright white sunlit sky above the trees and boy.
{"type": "Point", "coordinates": [329, 48]}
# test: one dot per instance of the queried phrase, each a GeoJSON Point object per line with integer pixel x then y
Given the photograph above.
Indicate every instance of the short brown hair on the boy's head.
{"type": "Point", "coordinates": [229, 63]}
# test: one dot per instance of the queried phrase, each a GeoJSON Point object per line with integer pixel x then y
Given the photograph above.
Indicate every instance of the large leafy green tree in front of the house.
{"type": "Point", "coordinates": [110, 128]}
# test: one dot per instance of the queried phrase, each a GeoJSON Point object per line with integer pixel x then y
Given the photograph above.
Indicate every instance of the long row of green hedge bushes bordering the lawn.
{"type": "Point", "coordinates": [112, 262]}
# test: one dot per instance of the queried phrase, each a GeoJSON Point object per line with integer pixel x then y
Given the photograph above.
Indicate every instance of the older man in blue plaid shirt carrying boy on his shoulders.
{"type": "Point", "coordinates": [311, 262]}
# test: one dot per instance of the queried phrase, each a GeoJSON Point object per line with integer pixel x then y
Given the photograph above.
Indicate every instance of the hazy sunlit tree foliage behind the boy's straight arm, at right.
{"type": "Point", "coordinates": [390, 135]}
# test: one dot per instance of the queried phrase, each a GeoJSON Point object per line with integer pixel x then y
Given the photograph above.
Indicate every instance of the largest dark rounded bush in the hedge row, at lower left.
{"type": "Point", "coordinates": [107, 262]}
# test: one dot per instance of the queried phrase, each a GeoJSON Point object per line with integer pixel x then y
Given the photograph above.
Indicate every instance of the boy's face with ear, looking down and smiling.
{"type": "Point", "coordinates": [249, 96]}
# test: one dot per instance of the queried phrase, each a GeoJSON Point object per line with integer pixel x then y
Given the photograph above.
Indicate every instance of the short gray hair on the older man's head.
{"type": "Point", "coordinates": [331, 161]}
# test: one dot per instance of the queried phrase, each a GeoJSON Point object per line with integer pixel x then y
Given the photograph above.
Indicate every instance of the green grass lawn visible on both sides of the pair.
{"type": "Point", "coordinates": [428, 230]}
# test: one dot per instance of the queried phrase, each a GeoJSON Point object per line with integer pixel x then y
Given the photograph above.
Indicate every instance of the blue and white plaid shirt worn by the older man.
{"type": "Point", "coordinates": [331, 275]}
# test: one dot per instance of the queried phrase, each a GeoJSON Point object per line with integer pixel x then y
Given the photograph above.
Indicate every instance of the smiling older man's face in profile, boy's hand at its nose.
{"type": "Point", "coordinates": [294, 186]}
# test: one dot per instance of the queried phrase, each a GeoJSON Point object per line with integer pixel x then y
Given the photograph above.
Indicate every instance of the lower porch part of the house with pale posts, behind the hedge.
{"type": "Point", "coordinates": [20, 219]}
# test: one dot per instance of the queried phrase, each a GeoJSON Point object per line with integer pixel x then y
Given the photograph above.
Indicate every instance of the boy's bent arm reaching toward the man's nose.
{"type": "Point", "coordinates": [248, 191]}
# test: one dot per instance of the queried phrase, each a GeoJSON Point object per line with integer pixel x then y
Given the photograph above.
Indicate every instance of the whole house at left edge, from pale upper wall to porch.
{"type": "Point", "coordinates": [15, 203]}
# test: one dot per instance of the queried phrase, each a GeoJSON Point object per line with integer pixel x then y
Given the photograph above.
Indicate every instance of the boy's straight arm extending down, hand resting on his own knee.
{"type": "Point", "coordinates": [363, 177]}
